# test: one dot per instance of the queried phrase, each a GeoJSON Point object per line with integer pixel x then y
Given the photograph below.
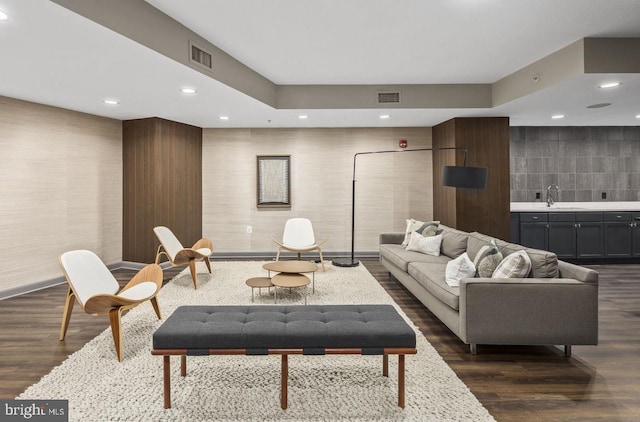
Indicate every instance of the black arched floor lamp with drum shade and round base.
{"type": "Point", "coordinates": [453, 176]}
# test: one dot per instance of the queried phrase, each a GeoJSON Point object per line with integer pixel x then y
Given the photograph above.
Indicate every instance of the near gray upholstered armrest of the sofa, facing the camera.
{"type": "Point", "coordinates": [528, 311]}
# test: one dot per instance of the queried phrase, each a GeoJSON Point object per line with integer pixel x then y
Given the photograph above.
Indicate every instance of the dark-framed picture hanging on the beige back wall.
{"type": "Point", "coordinates": [274, 181]}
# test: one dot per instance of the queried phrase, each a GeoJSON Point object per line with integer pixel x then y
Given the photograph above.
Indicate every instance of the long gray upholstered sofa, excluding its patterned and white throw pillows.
{"type": "Point", "coordinates": [557, 304]}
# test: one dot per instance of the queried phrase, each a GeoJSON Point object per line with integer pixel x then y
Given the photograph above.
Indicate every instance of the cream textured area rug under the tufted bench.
{"type": "Point", "coordinates": [232, 388]}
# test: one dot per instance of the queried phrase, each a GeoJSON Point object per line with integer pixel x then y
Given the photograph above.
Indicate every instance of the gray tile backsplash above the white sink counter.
{"type": "Point", "coordinates": [586, 162]}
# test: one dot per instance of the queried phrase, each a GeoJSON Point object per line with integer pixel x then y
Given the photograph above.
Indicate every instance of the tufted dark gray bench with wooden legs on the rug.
{"type": "Point", "coordinates": [284, 330]}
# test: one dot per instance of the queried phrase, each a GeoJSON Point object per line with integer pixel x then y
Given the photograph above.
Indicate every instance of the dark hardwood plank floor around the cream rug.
{"type": "Point", "coordinates": [515, 383]}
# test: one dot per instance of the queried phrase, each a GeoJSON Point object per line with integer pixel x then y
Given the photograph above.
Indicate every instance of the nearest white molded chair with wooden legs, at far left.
{"type": "Point", "coordinates": [96, 290]}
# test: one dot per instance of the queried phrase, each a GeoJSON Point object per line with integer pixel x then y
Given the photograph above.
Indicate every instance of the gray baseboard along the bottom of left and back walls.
{"type": "Point", "coordinates": [229, 256]}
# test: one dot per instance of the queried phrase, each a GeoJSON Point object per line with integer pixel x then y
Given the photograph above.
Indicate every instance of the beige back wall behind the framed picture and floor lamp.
{"type": "Point", "coordinates": [389, 187]}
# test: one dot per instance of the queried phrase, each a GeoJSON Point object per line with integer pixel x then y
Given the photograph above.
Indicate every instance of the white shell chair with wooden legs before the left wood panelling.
{"type": "Point", "coordinates": [179, 255]}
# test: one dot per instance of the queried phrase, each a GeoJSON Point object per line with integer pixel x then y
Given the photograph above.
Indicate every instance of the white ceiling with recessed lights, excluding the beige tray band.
{"type": "Point", "coordinates": [53, 56]}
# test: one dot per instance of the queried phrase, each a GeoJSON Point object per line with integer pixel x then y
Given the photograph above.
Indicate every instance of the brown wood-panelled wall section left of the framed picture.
{"type": "Point", "coordinates": [162, 184]}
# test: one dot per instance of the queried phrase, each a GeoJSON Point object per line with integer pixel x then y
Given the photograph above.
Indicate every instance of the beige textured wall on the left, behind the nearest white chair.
{"type": "Point", "coordinates": [60, 189]}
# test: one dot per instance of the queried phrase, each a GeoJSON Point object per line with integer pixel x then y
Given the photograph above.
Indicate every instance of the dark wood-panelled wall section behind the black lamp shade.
{"type": "Point", "coordinates": [487, 142]}
